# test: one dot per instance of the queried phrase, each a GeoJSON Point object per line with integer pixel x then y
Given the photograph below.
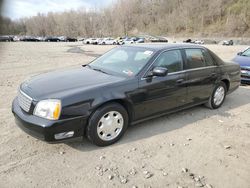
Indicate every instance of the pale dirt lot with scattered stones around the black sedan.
{"type": "Point", "coordinates": [213, 146]}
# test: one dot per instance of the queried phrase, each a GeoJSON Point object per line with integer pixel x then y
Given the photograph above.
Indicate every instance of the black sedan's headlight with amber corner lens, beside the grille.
{"type": "Point", "coordinates": [48, 109]}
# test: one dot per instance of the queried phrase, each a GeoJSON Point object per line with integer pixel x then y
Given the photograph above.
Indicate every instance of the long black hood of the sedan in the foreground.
{"type": "Point", "coordinates": [58, 84]}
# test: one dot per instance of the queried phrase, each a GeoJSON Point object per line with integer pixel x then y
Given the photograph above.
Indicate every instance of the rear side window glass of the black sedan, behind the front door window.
{"type": "Point", "coordinates": [197, 58]}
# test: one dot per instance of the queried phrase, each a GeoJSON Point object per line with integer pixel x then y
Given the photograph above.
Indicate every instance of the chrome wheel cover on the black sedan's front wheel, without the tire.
{"type": "Point", "coordinates": [110, 125]}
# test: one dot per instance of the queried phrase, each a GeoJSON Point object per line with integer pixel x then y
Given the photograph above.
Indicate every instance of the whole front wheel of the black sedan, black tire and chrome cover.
{"type": "Point", "coordinates": [99, 131]}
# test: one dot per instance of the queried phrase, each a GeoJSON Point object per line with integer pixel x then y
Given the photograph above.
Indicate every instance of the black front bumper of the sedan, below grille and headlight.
{"type": "Point", "coordinates": [44, 129]}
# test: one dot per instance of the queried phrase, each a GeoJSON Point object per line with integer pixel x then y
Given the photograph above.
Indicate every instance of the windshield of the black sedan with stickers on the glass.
{"type": "Point", "coordinates": [127, 61]}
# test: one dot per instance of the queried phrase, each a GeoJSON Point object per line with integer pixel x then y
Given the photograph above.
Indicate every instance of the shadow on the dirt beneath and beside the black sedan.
{"type": "Point", "coordinates": [173, 121]}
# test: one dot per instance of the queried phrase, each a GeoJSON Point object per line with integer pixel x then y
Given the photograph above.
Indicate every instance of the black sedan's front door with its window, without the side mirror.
{"type": "Point", "coordinates": [161, 94]}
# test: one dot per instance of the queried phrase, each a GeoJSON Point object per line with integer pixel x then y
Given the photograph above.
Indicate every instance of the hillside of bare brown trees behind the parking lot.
{"type": "Point", "coordinates": [132, 17]}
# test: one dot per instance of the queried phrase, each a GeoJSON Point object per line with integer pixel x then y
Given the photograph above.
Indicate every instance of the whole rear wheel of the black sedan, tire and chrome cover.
{"type": "Point", "coordinates": [214, 103]}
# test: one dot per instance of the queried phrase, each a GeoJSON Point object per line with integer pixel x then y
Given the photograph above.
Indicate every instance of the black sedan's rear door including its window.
{"type": "Point", "coordinates": [201, 75]}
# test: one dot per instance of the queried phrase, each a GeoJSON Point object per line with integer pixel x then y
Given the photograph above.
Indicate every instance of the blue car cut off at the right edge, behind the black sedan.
{"type": "Point", "coordinates": [243, 59]}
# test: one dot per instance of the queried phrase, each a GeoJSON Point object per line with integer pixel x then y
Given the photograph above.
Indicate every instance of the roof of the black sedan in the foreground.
{"type": "Point", "coordinates": [164, 46]}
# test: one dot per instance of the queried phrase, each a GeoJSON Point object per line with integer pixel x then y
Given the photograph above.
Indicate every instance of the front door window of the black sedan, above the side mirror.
{"type": "Point", "coordinates": [172, 60]}
